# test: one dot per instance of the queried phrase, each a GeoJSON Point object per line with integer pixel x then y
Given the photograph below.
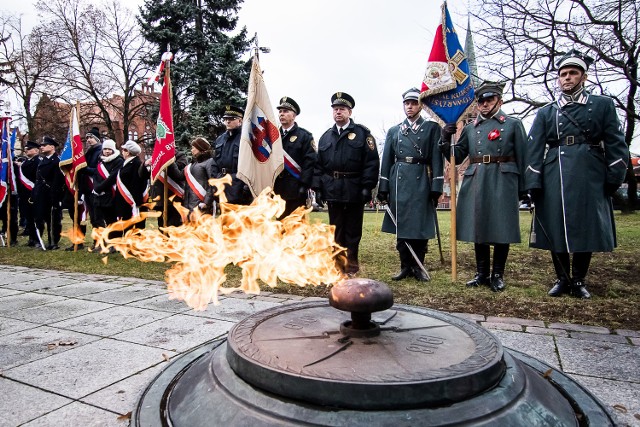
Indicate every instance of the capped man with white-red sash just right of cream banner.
{"type": "Point", "coordinates": [294, 181]}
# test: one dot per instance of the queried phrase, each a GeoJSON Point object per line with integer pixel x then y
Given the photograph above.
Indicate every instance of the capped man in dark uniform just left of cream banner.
{"type": "Point", "coordinates": [227, 149]}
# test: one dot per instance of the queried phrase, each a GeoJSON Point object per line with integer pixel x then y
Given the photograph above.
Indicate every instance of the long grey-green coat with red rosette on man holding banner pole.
{"type": "Point", "coordinates": [488, 202]}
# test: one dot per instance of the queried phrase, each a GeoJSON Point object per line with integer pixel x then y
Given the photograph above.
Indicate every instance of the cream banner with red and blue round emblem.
{"type": "Point", "coordinates": [261, 157]}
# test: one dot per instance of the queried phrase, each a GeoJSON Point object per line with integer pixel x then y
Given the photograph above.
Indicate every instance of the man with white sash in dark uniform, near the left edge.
{"type": "Point", "coordinates": [26, 179]}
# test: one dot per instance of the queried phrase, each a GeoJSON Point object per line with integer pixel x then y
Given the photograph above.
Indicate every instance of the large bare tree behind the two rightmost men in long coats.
{"type": "Point", "coordinates": [520, 40]}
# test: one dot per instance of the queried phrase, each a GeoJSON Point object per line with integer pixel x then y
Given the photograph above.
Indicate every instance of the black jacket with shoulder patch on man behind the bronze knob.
{"type": "Point", "coordinates": [347, 164]}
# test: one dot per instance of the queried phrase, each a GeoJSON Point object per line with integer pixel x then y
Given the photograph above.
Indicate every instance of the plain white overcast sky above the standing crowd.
{"type": "Point", "coordinates": [373, 50]}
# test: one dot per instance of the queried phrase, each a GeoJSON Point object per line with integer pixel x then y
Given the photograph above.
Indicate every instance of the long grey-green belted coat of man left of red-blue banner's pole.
{"type": "Point", "coordinates": [408, 183]}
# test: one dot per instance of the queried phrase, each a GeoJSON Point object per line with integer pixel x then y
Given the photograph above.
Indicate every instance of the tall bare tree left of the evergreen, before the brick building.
{"type": "Point", "coordinates": [103, 61]}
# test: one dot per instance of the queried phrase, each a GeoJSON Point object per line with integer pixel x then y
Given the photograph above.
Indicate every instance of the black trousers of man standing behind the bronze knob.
{"type": "Point", "coordinates": [347, 218]}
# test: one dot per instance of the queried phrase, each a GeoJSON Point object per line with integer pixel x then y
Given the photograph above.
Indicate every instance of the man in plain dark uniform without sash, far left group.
{"type": "Point", "coordinates": [47, 193]}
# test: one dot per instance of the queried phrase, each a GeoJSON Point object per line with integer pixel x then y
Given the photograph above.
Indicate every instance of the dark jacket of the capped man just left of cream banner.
{"type": "Point", "coordinates": [227, 150]}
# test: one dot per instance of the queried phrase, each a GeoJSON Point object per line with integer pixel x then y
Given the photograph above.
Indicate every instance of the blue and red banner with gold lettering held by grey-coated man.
{"type": "Point", "coordinates": [447, 90]}
